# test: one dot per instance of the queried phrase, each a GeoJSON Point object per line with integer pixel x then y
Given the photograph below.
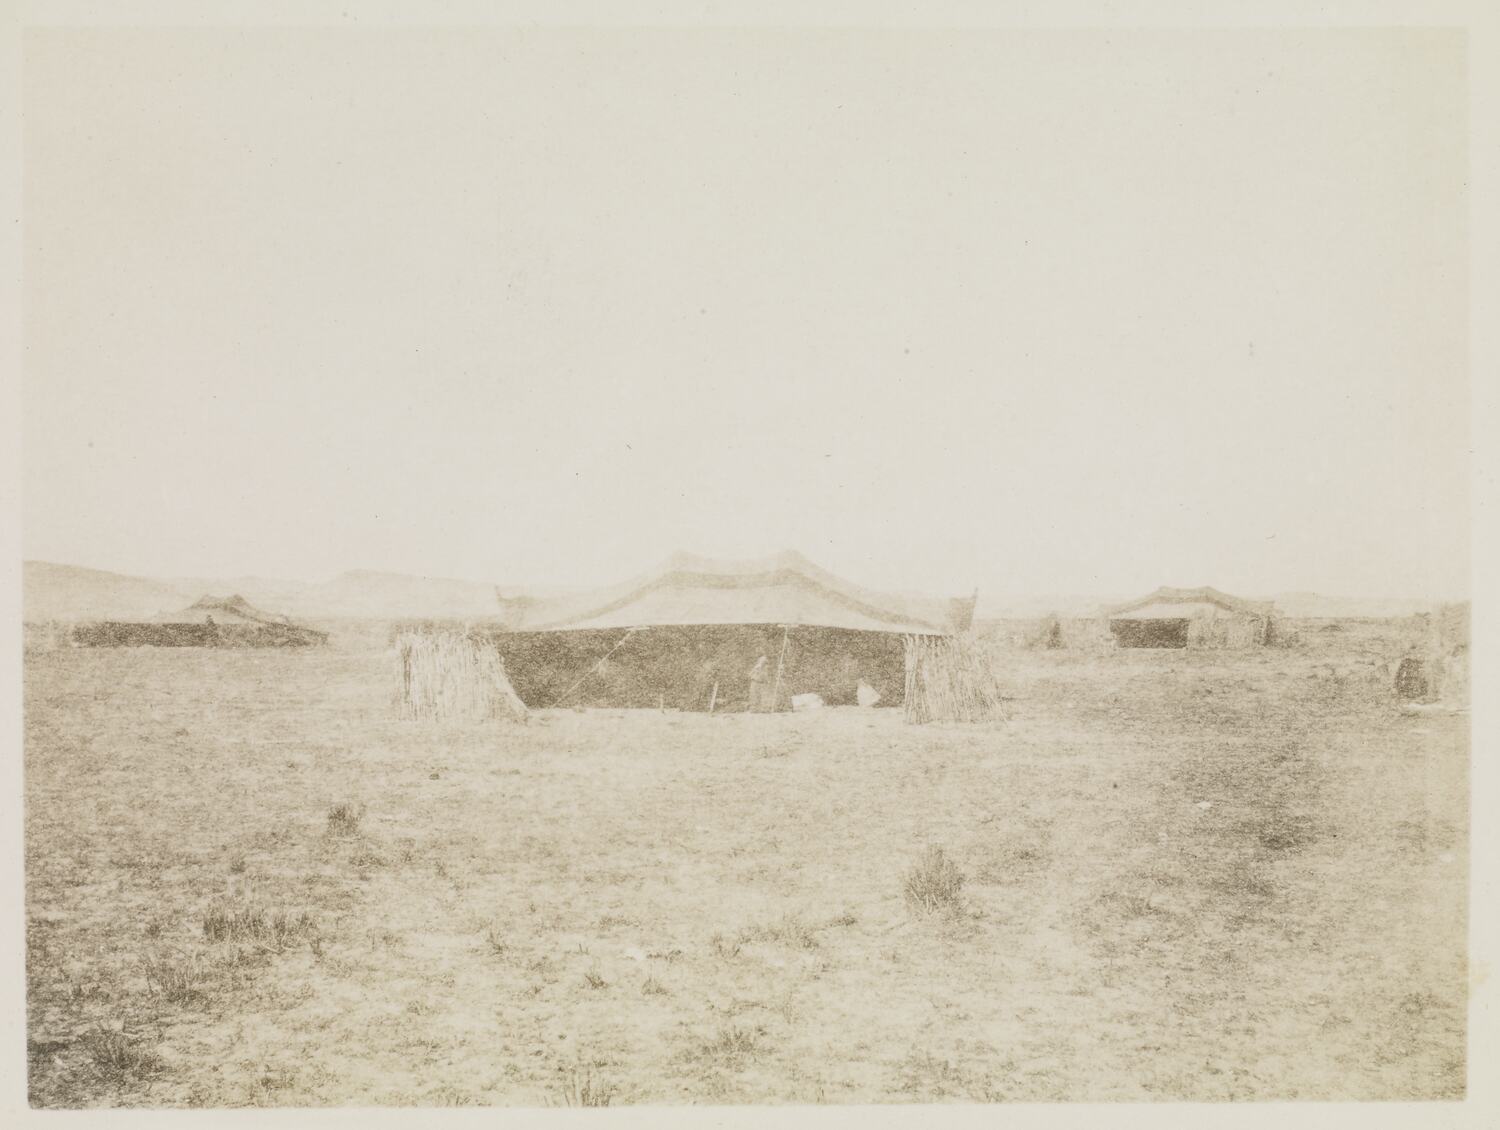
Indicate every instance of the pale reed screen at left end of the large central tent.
{"type": "Point", "coordinates": [454, 678]}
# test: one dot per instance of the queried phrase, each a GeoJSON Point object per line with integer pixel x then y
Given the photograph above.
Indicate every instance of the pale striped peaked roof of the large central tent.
{"type": "Point", "coordinates": [785, 589]}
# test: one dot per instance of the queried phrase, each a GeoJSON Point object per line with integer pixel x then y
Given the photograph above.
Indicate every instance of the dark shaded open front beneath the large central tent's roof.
{"type": "Point", "coordinates": [679, 667]}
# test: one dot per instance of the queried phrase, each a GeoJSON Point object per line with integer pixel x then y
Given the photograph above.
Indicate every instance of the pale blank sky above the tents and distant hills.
{"type": "Point", "coordinates": [1039, 313]}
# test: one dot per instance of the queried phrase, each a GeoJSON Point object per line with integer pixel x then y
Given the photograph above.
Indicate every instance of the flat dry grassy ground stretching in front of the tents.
{"type": "Point", "coordinates": [1187, 876]}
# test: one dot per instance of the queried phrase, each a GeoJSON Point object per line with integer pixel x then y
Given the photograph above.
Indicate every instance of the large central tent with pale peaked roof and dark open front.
{"type": "Point", "coordinates": [692, 633]}
